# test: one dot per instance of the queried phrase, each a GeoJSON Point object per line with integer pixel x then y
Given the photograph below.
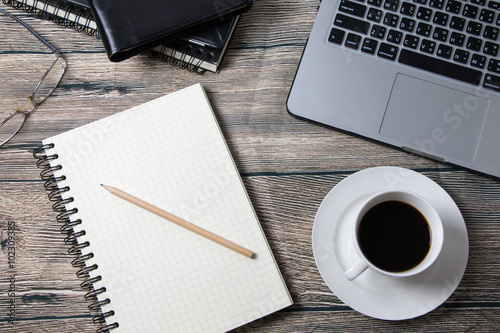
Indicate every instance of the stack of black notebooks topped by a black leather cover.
{"type": "Point", "coordinates": [192, 35]}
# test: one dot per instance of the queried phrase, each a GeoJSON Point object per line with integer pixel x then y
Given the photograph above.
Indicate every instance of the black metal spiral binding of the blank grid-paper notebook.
{"type": "Point", "coordinates": [63, 216]}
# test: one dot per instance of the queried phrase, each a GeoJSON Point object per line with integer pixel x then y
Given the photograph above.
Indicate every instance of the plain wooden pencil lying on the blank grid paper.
{"type": "Point", "coordinates": [177, 220]}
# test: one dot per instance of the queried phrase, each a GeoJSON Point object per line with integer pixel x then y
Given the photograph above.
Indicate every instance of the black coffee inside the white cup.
{"type": "Point", "coordinates": [394, 236]}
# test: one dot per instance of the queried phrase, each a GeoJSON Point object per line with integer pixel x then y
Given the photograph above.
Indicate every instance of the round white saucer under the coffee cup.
{"type": "Point", "coordinates": [372, 293]}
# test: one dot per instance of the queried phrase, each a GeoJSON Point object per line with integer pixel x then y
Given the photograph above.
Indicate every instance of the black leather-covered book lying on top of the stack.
{"type": "Point", "coordinates": [129, 27]}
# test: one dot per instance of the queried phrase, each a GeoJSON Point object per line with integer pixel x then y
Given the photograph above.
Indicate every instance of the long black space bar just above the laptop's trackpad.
{"type": "Point", "coordinates": [441, 67]}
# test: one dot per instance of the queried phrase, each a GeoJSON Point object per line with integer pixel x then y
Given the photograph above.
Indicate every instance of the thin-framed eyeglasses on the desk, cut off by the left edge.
{"type": "Point", "coordinates": [43, 89]}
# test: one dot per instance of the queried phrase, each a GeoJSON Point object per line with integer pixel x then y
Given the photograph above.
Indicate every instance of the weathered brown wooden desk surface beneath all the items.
{"type": "Point", "coordinates": [288, 166]}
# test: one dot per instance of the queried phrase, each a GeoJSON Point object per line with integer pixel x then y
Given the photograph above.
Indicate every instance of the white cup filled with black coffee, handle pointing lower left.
{"type": "Point", "coordinates": [378, 202]}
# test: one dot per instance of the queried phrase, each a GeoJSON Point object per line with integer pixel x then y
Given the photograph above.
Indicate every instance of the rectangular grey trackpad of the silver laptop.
{"type": "Point", "coordinates": [434, 119]}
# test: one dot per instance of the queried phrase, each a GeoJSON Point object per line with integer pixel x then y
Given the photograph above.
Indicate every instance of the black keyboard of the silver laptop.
{"type": "Point", "coordinates": [454, 38]}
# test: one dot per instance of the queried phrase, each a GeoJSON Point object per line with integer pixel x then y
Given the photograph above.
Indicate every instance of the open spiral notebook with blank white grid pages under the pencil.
{"type": "Point", "coordinates": [145, 273]}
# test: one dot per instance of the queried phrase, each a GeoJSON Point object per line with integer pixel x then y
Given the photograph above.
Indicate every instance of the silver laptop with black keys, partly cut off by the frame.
{"type": "Point", "coordinates": [421, 75]}
